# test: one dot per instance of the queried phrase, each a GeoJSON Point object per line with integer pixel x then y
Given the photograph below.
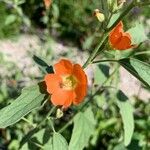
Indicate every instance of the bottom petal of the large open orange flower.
{"type": "Point", "coordinates": [63, 98]}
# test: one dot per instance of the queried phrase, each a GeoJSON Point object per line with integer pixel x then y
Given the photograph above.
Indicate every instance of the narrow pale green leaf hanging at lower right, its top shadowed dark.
{"type": "Point", "coordinates": [126, 111]}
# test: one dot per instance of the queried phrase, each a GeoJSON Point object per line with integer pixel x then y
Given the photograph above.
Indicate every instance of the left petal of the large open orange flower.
{"type": "Point", "coordinates": [52, 82]}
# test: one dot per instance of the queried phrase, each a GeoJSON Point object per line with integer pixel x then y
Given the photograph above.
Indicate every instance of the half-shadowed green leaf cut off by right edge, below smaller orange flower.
{"type": "Point", "coordinates": [137, 68]}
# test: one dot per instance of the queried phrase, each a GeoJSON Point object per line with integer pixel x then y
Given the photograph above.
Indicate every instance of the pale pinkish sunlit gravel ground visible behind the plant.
{"type": "Point", "coordinates": [17, 52]}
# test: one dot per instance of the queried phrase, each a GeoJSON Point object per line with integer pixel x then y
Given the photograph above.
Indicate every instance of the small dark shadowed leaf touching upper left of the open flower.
{"type": "Point", "coordinates": [43, 65]}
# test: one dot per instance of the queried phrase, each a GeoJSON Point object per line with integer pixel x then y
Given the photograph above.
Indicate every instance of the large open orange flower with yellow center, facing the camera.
{"type": "Point", "coordinates": [67, 85]}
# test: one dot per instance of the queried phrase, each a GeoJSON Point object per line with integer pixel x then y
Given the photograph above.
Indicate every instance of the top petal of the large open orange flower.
{"type": "Point", "coordinates": [63, 67]}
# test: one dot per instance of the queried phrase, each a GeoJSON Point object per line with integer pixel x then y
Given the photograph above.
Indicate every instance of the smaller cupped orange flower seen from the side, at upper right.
{"type": "Point", "coordinates": [119, 39]}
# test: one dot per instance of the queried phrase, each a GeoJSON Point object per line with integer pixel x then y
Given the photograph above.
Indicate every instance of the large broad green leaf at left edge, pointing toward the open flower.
{"type": "Point", "coordinates": [30, 99]}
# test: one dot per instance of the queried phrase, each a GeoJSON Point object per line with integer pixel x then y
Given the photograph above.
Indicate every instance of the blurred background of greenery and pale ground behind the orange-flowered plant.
{"type": "Point", "coordinates": [68, 29]}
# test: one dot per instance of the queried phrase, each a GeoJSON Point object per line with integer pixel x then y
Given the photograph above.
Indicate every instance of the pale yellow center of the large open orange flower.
{"type": "Point", "coordinates": [69, 82]}
